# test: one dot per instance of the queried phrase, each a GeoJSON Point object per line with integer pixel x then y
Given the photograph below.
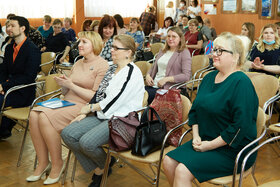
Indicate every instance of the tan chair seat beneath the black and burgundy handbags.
{"type": "Point", "coordinates": [151, 158]}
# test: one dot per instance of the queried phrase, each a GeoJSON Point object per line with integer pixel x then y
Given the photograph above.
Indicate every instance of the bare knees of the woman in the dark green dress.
{"type": "Point", "coordinates": [177, 173]}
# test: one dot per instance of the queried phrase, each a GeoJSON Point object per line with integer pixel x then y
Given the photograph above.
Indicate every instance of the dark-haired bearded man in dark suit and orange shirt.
{"type": "Point", "coordinates": [20, 66]}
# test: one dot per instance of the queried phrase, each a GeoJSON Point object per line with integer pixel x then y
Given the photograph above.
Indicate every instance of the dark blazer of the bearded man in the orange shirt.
{"type": "Point", "coordinates": [23, 71]}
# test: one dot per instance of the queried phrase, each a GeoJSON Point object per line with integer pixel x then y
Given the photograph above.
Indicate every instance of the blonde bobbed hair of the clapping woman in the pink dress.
{"type": "Point", "coordinates": [95, 38]}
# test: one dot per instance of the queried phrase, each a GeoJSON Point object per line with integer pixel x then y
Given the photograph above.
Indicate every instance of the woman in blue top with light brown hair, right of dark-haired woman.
{"type": "Point", "coordinates": [136, 32]}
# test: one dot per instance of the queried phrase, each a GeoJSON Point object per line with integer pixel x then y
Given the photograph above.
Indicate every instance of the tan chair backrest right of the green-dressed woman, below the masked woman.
{"type": "Point", "coordinates": [265, 85]}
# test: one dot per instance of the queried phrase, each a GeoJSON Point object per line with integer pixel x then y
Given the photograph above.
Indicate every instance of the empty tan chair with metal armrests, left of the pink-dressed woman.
{"type": "Point", "coordinates": [21, 115]}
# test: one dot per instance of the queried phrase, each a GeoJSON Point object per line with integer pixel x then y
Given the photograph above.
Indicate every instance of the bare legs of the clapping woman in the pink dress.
{"type": "Point", "coordinates": [45, 139]}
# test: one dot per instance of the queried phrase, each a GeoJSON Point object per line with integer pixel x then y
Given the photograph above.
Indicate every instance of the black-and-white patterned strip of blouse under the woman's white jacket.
{"type": "Point", "coordinates": [100, 94]}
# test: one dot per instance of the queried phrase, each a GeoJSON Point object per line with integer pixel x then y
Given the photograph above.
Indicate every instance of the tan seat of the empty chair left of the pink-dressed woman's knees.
{"type": "Point", "coordinates": [17, 113]}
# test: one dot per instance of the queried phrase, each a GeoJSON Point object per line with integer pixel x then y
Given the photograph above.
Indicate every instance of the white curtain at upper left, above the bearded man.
{"type": "Point", "coordinates": [37, 8]}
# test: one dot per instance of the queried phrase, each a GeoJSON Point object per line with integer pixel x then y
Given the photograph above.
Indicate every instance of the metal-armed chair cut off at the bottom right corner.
{"type": "Point", "coordinates": [275, 183]}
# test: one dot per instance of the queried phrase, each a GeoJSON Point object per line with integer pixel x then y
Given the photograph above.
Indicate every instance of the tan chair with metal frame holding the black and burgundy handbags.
{"type": "Point", "coordinates": [153, 159]}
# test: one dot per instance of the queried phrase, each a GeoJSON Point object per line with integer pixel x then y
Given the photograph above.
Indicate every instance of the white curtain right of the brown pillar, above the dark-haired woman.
{"type": "Point", "coordinates": [126, 8]}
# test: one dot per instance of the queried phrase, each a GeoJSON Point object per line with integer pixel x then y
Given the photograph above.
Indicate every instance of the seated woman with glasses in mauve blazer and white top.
{"type": "Point", "coordinates": [172, 64]}
